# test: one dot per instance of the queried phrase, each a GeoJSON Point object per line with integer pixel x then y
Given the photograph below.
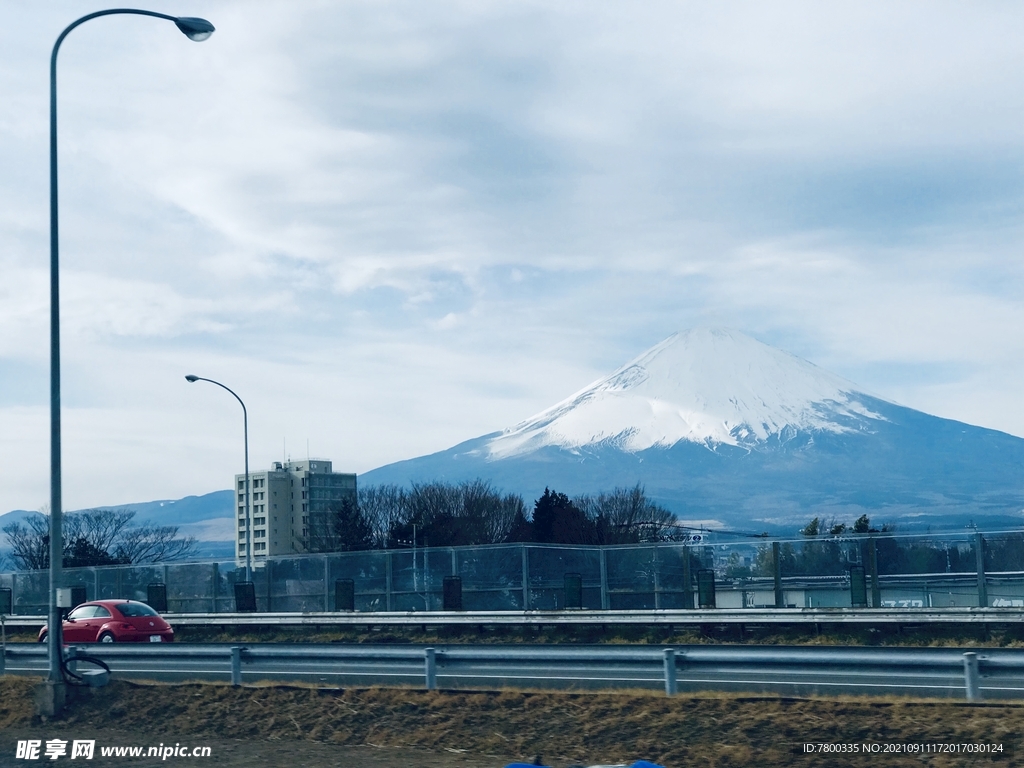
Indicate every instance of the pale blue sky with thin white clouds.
{"type": "Point", "coordinates": [393, 227]}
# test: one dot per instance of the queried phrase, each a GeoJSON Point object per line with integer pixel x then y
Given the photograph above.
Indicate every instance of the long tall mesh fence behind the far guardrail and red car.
{"type": "Point", "coordinates": [869, 571]}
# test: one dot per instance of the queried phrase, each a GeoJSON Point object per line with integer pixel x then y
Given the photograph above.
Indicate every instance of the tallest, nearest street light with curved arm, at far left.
{"type": "Point", "coordinates": [194, 29]}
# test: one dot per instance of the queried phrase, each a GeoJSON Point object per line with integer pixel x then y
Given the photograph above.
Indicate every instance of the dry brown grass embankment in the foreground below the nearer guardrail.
{"type": "Point", "coordinates": [492, 729]}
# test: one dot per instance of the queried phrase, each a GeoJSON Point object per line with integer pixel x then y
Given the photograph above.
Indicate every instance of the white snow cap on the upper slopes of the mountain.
{"type": "Point", "coordinates": [709, 387]}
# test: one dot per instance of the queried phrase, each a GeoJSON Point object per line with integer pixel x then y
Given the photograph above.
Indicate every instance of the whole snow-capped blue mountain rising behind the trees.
{"type": "Point", "coordinates": [723, 430]}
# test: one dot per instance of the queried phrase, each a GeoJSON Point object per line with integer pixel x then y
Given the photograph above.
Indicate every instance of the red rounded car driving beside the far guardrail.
{"type": "Point", "coordinates": [114, 622]}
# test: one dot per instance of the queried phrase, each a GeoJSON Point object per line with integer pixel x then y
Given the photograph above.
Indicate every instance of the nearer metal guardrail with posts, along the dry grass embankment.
{"type": "Point", "coordinates": [880, 662]}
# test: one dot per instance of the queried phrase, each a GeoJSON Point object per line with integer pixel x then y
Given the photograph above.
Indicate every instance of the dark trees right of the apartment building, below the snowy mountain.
{"type": "Point", "coordinates": [443, 515]}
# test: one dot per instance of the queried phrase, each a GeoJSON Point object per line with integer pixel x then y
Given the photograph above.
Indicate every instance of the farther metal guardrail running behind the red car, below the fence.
{"type": "Point", "coordinates": [584, 618]}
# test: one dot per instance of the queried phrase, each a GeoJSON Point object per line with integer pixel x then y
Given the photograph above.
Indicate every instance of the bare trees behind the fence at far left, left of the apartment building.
{"type": "Point", "coordinates": [99, 537]}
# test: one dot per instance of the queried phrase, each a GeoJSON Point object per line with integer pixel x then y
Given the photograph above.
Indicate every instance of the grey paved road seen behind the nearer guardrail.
{"type": "Point", "coordinates": [926, 672]}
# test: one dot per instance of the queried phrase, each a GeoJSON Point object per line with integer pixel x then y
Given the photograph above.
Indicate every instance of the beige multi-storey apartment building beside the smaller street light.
{"type": "Point", "coordinates": [287, 502]}
